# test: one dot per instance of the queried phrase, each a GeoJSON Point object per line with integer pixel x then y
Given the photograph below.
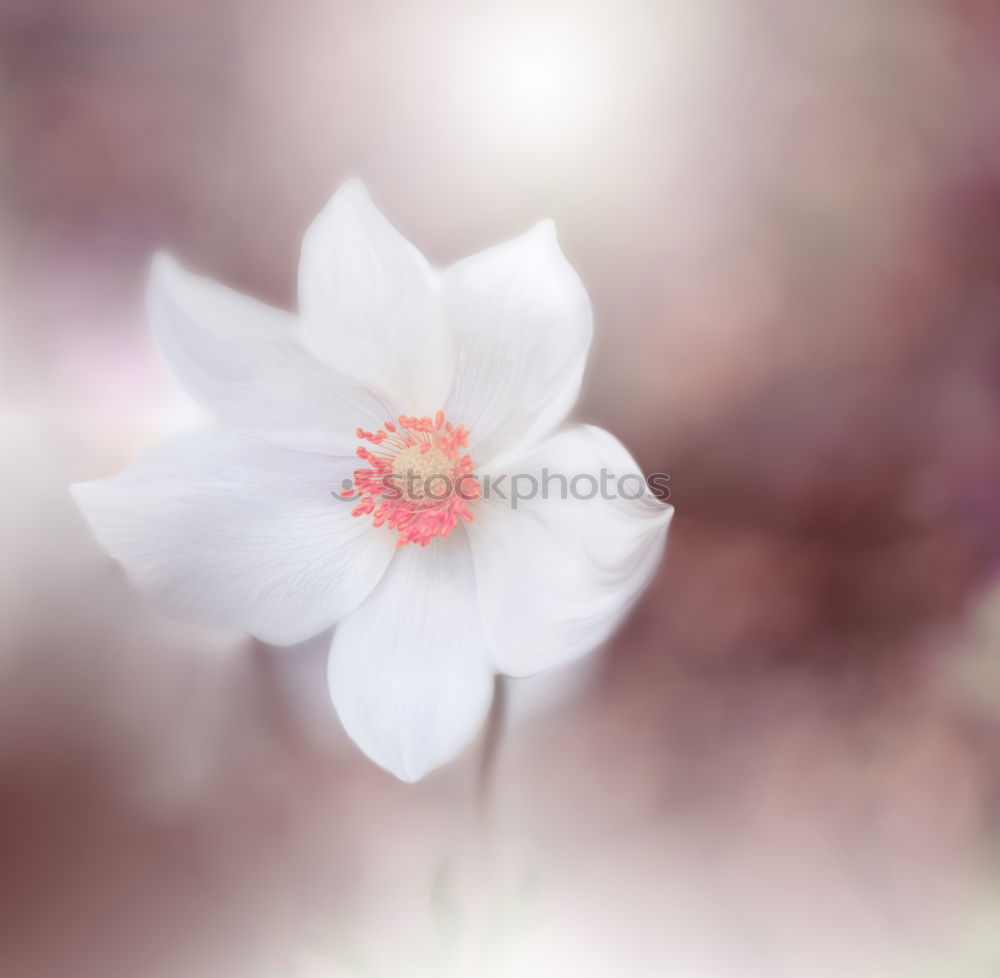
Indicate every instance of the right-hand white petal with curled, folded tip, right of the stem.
{"type": "Point", "coordinates": [555, 575]}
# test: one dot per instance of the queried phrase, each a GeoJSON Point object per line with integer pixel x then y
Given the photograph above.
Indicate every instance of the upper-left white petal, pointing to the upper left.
{"type": "Point", "coordinates": [243, 361]}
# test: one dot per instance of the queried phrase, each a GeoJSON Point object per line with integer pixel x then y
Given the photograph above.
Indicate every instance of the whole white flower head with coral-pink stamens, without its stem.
{"type": "Point", "coordinates": [474, 368]}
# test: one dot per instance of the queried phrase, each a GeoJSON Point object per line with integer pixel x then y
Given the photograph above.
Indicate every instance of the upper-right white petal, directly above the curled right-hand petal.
{"type": "Point", "coordinates": [522, 325]}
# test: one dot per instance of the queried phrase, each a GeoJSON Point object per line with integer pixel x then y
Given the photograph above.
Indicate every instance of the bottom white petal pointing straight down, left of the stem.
{"type": "Point", "coordinates": [408, 670]}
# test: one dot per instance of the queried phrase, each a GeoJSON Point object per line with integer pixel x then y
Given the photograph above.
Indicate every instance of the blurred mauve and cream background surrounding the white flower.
{"type": "Point", "coordinates": [787, 763]}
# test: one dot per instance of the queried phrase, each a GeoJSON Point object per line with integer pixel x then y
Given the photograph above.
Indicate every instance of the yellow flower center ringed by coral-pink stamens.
{"type": "Point", "coordinates": [419, 478]}
